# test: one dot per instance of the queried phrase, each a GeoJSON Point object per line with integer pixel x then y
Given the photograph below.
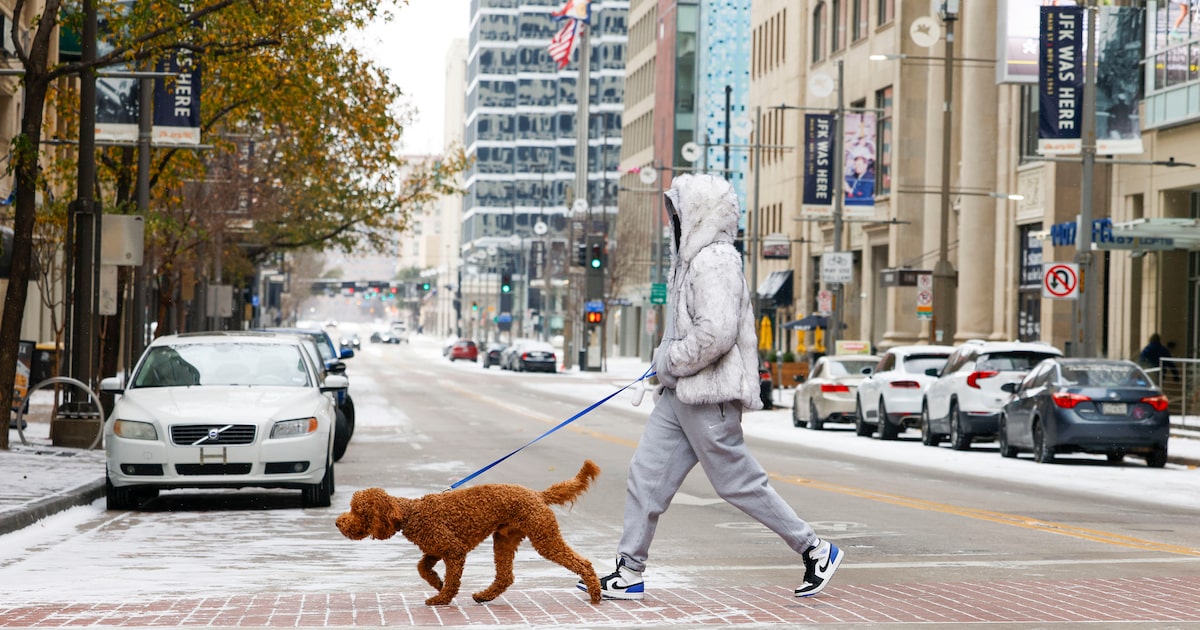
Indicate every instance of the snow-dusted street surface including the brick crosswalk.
{"type": "Point", "coordinates": [923, 545]}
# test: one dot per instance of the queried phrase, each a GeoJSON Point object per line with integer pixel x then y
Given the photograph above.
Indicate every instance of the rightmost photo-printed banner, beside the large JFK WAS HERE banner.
{"type": "Point", "coordinates": [1119, 53]}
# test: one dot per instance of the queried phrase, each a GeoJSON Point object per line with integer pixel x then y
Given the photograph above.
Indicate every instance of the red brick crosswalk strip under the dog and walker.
{"type": "Point", "coordinates": [1167, 601]}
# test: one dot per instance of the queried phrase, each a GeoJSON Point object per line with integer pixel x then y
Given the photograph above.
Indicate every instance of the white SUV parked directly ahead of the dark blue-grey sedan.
{"type": "Point", "coordinates": [965, 401]}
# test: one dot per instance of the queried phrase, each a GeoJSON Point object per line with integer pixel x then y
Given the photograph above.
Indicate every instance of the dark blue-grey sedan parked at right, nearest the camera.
{"type": "Point", "coordinates": [1100, 406]}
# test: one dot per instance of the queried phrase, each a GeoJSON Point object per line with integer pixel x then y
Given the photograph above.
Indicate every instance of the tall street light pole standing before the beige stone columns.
{"type": "Point", "coordinates": [944, 272]}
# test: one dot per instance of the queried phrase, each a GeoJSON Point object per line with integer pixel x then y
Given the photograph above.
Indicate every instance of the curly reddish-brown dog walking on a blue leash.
{"type": "Point", "coordinates": [449, 525]}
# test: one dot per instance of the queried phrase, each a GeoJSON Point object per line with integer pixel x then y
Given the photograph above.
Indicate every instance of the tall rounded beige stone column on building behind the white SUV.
{"type": "Point", "coordinates": [979, 100]}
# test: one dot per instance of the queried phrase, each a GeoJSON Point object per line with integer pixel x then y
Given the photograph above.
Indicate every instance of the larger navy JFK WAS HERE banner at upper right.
{"type": "Point", "coordinates": [1061, 81]}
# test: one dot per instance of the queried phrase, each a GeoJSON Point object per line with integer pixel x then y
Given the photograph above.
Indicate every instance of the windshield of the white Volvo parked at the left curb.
{"type": "Point", "coordinates": [223, 364]}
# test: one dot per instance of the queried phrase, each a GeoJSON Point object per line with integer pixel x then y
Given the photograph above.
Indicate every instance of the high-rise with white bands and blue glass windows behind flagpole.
{"type": "Point", "coordinates": [521, 128]}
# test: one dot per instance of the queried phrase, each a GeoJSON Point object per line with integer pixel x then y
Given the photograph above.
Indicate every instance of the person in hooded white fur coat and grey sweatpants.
{"type": "Point", "coordinates": [707, 365]}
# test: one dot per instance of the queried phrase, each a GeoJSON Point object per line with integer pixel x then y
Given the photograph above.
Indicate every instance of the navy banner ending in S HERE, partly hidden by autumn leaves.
{"type": "Point", "coordinates": [177, 100]}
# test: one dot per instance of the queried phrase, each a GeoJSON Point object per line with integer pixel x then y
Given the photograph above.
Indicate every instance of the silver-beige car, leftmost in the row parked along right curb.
{"type": "Point", "coordinates": [830, 392]}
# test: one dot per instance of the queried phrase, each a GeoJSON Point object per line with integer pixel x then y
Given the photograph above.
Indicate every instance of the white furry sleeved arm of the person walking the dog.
{"type": "Point", "coordinates": [716, 293]}
